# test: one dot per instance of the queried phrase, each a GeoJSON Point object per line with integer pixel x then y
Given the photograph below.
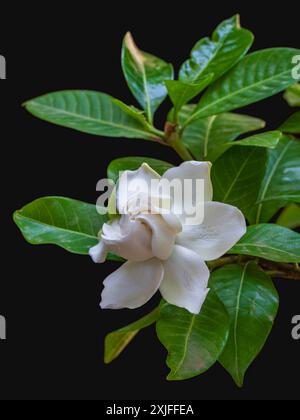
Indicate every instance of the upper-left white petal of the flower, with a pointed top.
{"type": "Point", "coordinates": [135, 186]}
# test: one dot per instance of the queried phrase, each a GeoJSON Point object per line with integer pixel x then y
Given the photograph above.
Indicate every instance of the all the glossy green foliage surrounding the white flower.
{"type": "Point", "coordinates": [258, 174]}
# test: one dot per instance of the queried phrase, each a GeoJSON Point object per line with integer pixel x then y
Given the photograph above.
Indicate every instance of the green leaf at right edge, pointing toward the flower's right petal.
{"type": "Point", "coordinates": [271, 242]}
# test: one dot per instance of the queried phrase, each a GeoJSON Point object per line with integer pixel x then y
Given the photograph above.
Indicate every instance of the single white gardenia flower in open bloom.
{"type": "Point", "coordinates": [163, 252]}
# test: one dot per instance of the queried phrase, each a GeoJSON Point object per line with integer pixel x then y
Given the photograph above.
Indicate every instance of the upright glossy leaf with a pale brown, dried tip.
{"type": "Point", "coordinates": [146, 76]}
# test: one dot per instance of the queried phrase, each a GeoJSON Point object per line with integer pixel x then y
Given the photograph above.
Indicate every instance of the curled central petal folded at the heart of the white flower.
{"type": "Point", "coordinates": [163, 236]}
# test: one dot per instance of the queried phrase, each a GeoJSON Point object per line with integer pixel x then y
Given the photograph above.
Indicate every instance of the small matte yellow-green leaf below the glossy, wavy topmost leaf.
{"type": "Point", "coordinates": [182, 92]}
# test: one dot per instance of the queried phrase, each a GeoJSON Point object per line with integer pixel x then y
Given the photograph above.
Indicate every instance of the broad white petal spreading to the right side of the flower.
{"type": "Point", "coordinates": [222, 228]}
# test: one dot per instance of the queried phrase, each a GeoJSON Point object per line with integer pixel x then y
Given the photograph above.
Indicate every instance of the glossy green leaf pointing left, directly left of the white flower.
{"type": "Point", "coordinates": [70, 224]}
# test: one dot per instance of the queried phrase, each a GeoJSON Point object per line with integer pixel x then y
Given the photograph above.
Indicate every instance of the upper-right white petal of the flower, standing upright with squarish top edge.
{"type": "Point", "coordinates": [190, 171]}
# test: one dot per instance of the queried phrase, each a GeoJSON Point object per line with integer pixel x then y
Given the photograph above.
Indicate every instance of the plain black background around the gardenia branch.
{"type": "Point", "coordinates": [54, 348]}
